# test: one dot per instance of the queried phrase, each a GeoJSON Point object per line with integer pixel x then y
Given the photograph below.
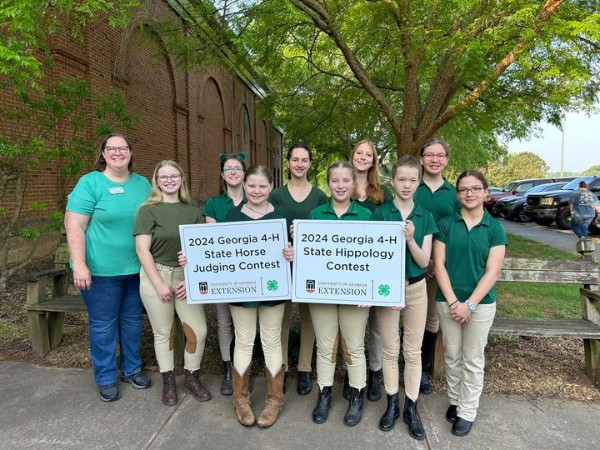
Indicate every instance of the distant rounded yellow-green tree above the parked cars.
{"type": "Point", "coordinates": [516, 166]}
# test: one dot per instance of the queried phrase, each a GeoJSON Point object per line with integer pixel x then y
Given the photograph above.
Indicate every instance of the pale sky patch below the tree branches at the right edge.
{"type": "Point", "coordinates": [581, 148]}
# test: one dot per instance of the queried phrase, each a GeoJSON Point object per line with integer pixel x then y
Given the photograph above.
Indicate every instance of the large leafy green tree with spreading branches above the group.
{"type": "Point", "coordinates": [401, 72]}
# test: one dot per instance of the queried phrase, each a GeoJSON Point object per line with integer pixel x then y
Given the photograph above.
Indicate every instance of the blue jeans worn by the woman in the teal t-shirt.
{"type": "Point", "coordinates": [114, 309]}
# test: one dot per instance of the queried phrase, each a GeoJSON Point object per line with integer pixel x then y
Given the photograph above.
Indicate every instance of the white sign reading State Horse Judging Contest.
{"type": "Point", "coordinates": [236, 261]}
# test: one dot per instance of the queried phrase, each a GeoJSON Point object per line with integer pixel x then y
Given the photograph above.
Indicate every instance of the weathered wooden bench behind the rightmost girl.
{"type": "Point", "coordinates": [584, 272]}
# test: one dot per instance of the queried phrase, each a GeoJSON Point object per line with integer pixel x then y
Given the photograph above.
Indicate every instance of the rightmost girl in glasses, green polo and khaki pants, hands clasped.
{"type": "Point", "coordinates": [468, 252]}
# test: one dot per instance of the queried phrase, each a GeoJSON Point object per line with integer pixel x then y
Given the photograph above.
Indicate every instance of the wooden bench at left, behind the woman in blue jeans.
{"type": "Point", "coordinates": [48, 300]}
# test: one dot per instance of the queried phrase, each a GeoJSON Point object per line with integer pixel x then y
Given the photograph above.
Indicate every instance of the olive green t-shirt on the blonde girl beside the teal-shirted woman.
{"type": "Point", "coordinates": [162, 220]}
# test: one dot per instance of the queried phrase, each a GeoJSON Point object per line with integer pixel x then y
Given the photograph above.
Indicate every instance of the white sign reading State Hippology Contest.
{"type": "Point", "coordinates": [349, 262]}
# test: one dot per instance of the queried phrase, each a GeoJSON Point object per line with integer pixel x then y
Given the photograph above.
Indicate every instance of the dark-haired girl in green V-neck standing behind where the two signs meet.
{"type": "Point", "coordinates": [298, 197]}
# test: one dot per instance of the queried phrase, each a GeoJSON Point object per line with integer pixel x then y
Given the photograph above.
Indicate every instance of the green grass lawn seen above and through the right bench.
{"type": "Point", "coordinates": [550, 300]}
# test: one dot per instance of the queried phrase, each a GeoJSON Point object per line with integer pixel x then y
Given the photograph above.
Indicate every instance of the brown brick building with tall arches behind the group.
{"type": "Point", "coordinates": [187, 115]}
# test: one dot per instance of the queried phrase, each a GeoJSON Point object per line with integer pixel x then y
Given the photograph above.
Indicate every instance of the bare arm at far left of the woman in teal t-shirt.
{"type": "Point", "coordinates": [75, 226]}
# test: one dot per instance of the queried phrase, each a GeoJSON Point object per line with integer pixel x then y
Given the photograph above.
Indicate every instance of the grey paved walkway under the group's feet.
{"type": "Point", "coordinates": [46, 408]}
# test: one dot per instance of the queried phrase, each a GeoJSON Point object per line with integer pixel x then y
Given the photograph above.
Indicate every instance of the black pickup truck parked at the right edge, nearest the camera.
{"type": "Point", "coordinates": [547, 207]}
